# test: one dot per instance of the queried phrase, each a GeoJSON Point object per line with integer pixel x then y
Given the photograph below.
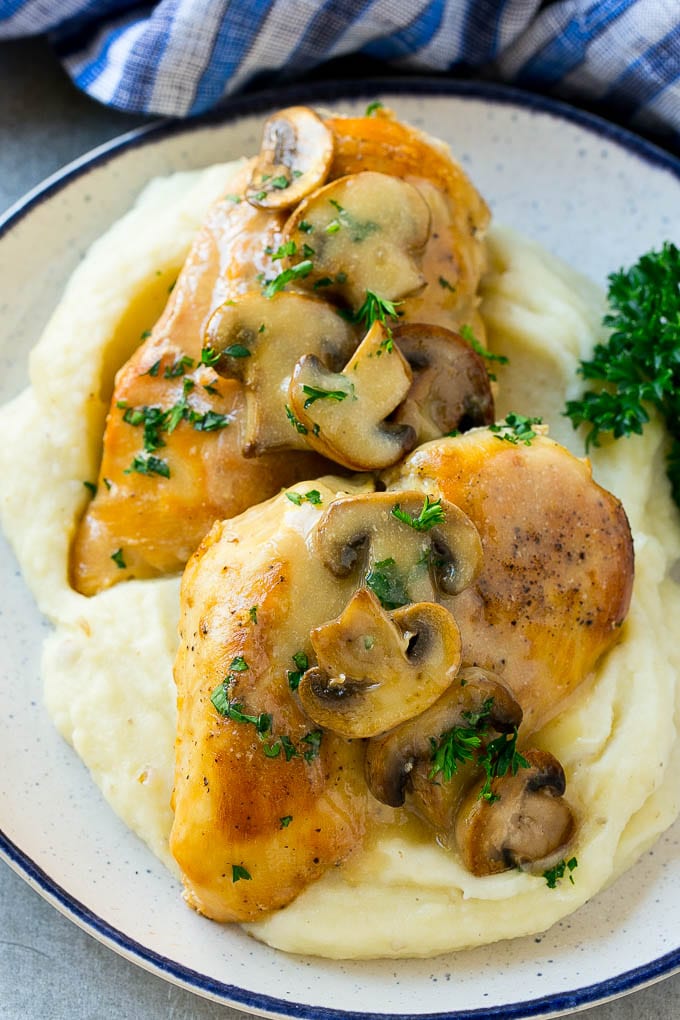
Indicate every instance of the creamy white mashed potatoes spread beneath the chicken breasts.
{"type": "Point", "coordinates": [108, 666]}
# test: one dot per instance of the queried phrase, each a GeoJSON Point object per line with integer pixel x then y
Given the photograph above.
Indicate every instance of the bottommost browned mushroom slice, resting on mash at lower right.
{"type": "Point", "coordinates": [529, 824]}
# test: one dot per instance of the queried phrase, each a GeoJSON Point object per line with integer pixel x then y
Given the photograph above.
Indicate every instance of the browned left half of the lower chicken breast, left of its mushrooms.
{"type": "Point", "coordinates": [251, 591]}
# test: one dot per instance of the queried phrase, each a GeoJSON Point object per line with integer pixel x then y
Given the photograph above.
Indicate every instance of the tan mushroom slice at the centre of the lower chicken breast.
{"type": "Point", "coordinates": [378, 670]}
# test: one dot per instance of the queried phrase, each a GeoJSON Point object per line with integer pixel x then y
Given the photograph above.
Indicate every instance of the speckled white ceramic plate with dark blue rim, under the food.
{"type": "Point", "coordinates": [589, 192]}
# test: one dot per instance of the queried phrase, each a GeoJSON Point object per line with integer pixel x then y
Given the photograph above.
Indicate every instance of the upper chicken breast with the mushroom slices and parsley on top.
{"type": "Point", "coordinates": [201, 424]}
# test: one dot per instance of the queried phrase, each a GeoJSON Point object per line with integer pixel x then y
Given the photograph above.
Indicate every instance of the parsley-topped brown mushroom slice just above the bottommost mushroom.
{"type": "Point", "coordinates": [395, 760]}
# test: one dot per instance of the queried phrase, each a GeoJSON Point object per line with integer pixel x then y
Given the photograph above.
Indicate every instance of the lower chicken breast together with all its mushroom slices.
{"type": "Point", "coordinates": [480, 590]}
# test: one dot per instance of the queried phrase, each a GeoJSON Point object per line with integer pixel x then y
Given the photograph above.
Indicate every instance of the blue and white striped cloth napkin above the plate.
{"type": "Point", "coordinates": [182, 57]}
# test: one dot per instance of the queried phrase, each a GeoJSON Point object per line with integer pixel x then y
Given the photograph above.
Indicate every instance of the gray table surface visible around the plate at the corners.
{"type": "Point", "coordinates": [49, 968]}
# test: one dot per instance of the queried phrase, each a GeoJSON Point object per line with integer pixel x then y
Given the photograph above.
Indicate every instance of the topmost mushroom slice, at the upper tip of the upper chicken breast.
{"type": "Point", "coordinates": [295, 159]}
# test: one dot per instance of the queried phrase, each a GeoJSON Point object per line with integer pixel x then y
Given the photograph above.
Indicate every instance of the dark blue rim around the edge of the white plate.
{"type": "Point", "coordinates": [233, 110]}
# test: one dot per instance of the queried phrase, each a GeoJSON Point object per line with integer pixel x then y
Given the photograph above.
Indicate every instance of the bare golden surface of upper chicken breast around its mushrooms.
{"type": "Point", "coordinates": [151, 524]}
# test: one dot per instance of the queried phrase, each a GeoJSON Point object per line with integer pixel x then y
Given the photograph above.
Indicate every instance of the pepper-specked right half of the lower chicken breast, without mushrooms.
{"type": "Point", "coordinates": [558, 573]}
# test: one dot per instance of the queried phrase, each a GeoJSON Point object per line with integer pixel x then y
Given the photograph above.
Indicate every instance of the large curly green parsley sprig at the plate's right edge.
{"type": "Point", "coordinates": [639, 369]}
